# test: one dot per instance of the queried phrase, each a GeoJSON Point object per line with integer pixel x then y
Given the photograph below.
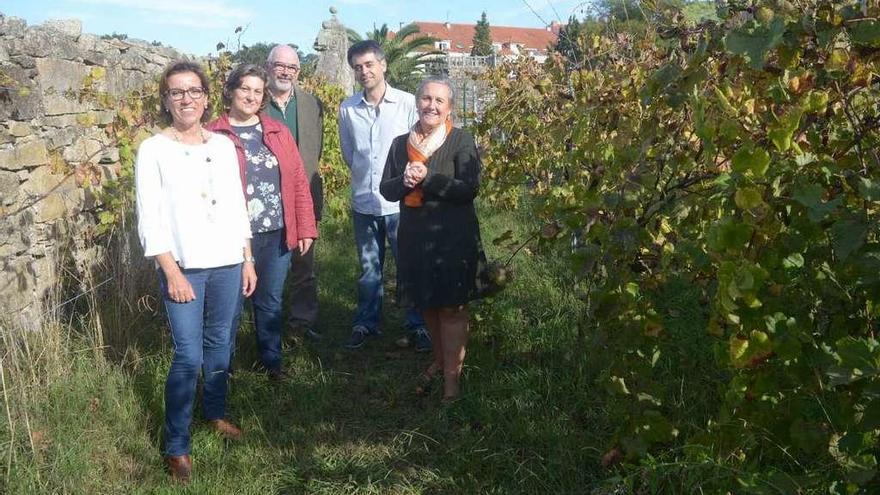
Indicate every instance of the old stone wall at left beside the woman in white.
{"type": "Point", "coordinates": [46, 132]}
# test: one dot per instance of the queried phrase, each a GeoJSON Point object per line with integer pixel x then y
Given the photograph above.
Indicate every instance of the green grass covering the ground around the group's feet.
{"type": "Point", "coordinates": [531, 420]}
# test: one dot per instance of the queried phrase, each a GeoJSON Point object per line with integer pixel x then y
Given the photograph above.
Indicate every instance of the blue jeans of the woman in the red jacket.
{"type": "Point", "coordinates": [273, 261]}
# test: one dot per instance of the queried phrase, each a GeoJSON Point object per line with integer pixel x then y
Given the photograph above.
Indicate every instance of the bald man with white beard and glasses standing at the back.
{"type": "Point", "coordinates": [304, 116]}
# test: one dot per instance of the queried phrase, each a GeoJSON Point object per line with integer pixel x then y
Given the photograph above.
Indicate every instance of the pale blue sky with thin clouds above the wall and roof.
{"type": "Point", "coordinates": [196, 26]}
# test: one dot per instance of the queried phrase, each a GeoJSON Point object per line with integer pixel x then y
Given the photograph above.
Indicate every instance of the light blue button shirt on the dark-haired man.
{"type": "Point", "coordinates": [365, 135]}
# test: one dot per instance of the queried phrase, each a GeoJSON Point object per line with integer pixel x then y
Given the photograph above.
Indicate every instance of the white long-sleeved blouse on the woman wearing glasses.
{"type": "Point", "coordinates": [190, 201]}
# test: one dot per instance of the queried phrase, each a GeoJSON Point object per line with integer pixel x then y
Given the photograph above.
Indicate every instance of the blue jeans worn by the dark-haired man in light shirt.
{"type": "Point", "coordinates": [370, 232]}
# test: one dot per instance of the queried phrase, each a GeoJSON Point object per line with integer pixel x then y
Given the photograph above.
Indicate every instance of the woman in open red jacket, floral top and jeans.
{"type": "Point", "coordinates": [278, 200]}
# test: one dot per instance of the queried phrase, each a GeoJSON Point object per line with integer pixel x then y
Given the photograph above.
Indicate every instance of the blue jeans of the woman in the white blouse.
{"type": "Point", "coordinates": [200, 333]}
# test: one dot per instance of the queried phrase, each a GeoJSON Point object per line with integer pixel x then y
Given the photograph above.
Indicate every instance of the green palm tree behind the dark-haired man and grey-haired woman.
{"type": "Point", "coordinates": [406, 53]}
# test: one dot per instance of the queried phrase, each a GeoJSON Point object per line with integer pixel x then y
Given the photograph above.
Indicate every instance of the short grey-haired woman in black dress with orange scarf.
{"type": "Point", "coordinates": [434, 171]}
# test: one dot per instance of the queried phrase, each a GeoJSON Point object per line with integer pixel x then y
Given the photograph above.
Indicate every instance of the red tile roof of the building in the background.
{"type": "Point", "coordinates": [461, 36]}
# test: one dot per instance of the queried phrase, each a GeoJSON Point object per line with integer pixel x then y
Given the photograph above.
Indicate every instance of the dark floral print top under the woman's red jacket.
{"type": "Point", "coordinates": [263, 189]}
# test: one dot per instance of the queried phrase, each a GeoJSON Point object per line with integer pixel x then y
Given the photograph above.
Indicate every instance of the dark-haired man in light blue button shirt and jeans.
{"type": "Point", "coordinates": [368, 122]}
